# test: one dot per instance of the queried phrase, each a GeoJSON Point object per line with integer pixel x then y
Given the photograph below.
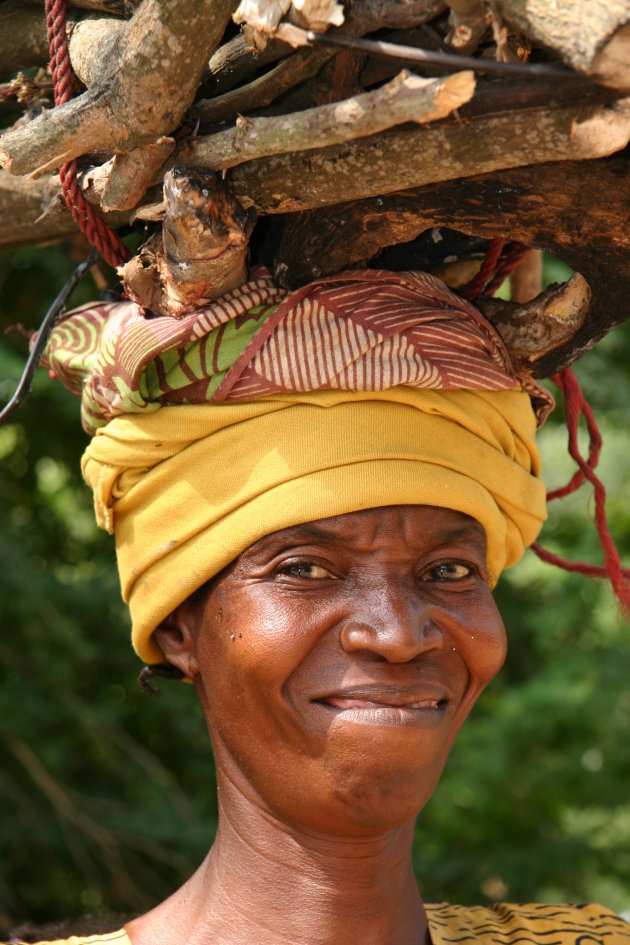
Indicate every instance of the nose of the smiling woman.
{"type": "Point", "coordinates": [394, 624]}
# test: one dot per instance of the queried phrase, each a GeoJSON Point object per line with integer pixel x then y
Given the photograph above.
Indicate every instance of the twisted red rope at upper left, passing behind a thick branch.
{"type": "Point", "coordinates": [100, 235]}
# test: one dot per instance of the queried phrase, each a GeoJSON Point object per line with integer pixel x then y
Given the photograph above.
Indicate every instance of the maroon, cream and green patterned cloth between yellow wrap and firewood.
{"type": "Point", "coordinates": [363, 330]}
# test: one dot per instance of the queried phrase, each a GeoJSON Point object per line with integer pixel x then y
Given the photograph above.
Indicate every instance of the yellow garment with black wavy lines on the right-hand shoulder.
{"type": "Point", "coordinates": [536, 923]}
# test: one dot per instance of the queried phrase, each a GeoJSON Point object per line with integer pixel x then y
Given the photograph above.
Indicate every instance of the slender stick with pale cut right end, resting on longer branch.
{"type": "Point", "coordinates": [407, 98]}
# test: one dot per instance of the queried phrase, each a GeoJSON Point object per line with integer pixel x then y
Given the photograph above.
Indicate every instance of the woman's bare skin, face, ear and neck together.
{"type": "Point", "coordinates": [335, 662]}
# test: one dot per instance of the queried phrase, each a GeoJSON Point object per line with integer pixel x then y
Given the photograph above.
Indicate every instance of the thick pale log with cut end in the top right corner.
{"type": "Point", "coordinates": [592, 36]}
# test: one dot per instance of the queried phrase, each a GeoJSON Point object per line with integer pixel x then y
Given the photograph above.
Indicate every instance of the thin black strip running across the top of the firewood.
{"type": "Point", "coordinates": [434, 58]}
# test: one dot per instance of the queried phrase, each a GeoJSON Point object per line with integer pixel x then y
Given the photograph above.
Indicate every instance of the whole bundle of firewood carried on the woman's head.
{"type": "Point", "coordinates": [402, 133]}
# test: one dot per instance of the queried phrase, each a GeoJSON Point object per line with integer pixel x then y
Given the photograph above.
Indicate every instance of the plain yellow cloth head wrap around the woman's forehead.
{"type": "Point", "coordinates": [188, 488]}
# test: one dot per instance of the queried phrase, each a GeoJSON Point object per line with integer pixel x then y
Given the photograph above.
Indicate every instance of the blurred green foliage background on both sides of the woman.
{"type": "Point", "coordinates": [107, 796]}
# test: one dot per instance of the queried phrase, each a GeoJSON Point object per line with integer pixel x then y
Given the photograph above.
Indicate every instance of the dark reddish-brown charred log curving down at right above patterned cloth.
{"type": "Point", "coordinates": [564, 208]}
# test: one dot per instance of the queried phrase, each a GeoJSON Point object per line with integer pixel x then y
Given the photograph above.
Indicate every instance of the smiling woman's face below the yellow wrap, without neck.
{"type": "Point", "coordinates": [336, 661]}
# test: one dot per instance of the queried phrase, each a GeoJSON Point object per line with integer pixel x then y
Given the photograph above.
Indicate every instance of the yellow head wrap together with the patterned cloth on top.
{"type": "Point", "coordinates": [262, 411]}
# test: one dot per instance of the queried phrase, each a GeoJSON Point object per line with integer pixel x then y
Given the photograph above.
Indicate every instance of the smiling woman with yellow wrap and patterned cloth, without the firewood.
{"type": "Point", "coordinates": [312, 499]}
